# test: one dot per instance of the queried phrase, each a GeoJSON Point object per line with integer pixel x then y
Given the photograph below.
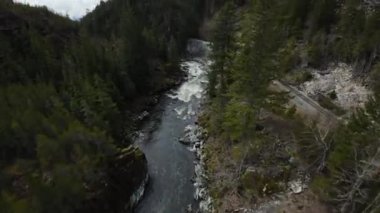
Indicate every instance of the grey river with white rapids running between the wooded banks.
{"type": "Point", "coordinates": [171, 164]}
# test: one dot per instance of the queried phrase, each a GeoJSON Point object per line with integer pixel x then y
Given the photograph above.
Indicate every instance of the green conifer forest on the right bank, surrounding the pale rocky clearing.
{"type": "Point", "coordinates": [261, 41]}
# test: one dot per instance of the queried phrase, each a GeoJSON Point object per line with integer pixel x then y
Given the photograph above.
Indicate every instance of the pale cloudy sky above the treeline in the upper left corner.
{"type": "Point", "coordinates": [74, 8]}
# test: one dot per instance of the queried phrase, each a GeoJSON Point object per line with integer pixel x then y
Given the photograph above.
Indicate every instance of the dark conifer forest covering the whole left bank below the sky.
{"type": "Point", "coordinates": [70, 93]}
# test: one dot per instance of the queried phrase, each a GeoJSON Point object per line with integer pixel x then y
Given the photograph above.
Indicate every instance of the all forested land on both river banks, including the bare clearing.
{"type": "Point", "coordinates": [71, 92]}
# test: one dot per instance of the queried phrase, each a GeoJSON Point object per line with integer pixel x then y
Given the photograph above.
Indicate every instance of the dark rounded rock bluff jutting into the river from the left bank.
{"type": "Point", "coordinates": [123, 185]}
